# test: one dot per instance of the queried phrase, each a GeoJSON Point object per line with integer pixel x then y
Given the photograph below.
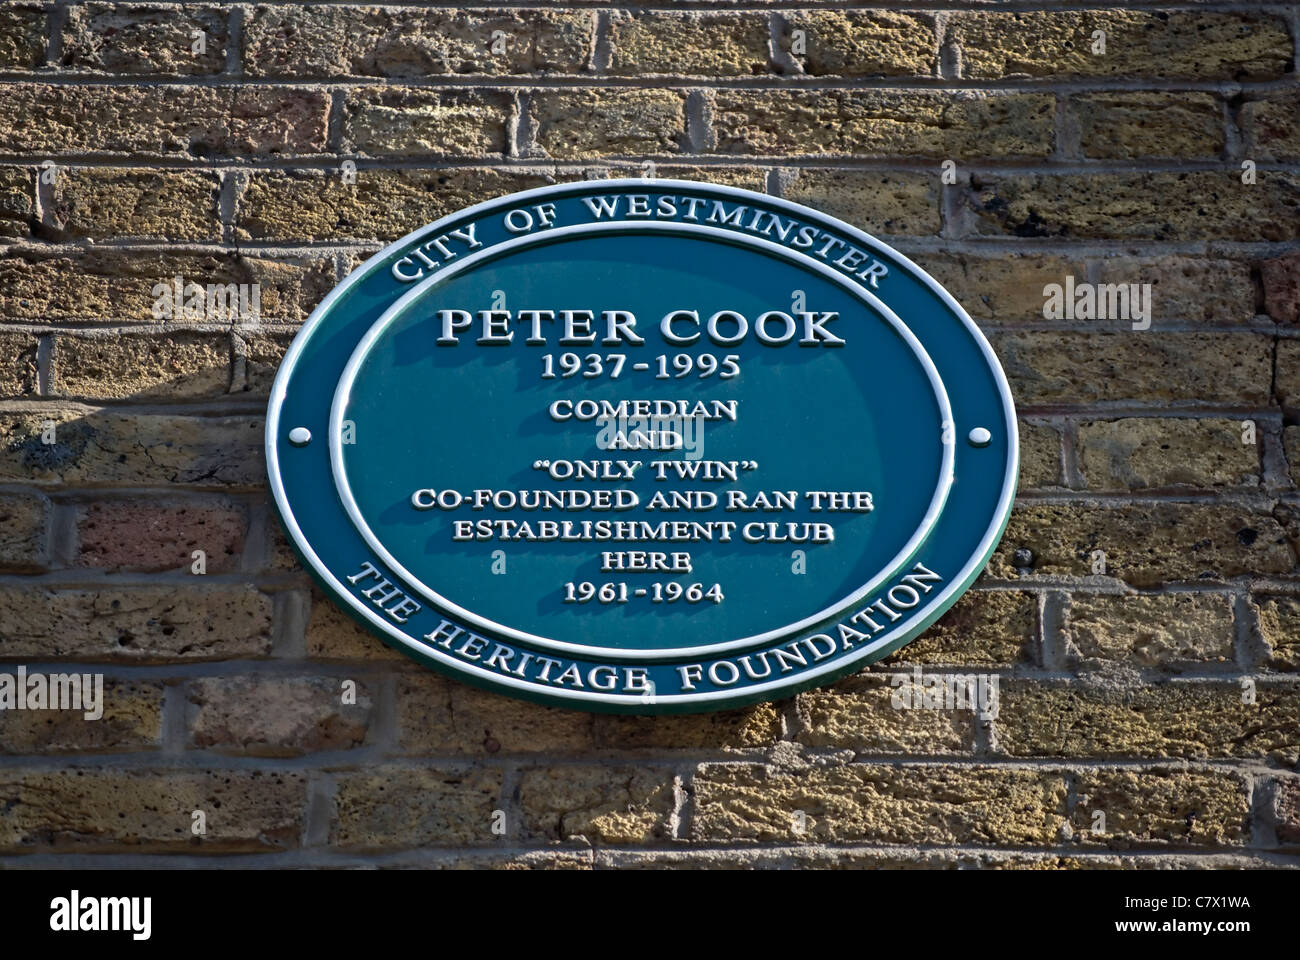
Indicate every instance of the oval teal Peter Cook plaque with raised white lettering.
{"type": "Point", "coordinates": [643, 447]}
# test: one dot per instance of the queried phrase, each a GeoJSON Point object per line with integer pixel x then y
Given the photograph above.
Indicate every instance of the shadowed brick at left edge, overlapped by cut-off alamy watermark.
{"type": "Point", "coordinates": [131, 720]}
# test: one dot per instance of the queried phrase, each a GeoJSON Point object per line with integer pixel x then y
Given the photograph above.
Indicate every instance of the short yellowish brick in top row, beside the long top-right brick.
{"type": "Point", "coordinates": [863, 44]}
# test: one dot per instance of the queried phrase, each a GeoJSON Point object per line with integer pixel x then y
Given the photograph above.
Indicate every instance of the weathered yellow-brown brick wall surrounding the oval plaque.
{"type": "Point", "coordinates": [1162, 694]}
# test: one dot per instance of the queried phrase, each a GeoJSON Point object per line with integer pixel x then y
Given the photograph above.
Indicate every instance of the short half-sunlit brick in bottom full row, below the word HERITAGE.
{"type": "Point", "coordinates": [600, 805]}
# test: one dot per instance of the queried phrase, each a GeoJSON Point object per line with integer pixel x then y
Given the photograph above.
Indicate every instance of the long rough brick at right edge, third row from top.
{"type": "Point", "coordinates": [1163, 206]}
